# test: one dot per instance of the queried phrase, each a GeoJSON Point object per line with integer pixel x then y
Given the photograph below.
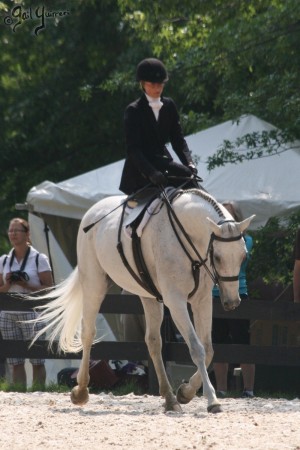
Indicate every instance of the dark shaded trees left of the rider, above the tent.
{"type": "Point", "coordinates": [50, 128]}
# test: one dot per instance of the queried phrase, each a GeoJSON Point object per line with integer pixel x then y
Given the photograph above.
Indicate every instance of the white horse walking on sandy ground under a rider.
{"type": "Point", "coordinates": [204, 240]}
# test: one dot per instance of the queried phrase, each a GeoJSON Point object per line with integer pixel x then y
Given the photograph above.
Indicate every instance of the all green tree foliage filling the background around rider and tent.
{"type": "Point", "coordinates": [64, 90]}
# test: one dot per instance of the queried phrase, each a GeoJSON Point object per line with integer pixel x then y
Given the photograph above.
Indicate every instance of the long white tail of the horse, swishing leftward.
{"type": "Point", "coordinates": [63, 314]}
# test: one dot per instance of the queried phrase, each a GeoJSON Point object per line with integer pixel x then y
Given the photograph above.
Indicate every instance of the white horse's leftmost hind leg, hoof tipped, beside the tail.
{"type": "Point", "coordinates": [80, 393]}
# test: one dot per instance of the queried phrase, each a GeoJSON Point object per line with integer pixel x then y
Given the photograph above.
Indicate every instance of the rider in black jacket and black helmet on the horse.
{"type": "Point", "coordinates": [151, 122]}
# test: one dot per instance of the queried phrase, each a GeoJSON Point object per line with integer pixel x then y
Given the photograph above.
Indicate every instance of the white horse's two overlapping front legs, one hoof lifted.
{"type": "Point", "coordinates": [201, 359]}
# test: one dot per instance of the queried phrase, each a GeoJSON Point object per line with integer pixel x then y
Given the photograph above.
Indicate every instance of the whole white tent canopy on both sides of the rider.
{"type": "Point", "coordinates": [266, 187]}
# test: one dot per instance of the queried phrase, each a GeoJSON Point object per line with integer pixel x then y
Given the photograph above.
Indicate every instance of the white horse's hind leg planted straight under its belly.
{"type": "Point", "coordinates": [154, 316]}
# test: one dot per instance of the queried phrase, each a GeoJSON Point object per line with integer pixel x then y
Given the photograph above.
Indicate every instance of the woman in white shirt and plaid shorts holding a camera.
{"type": "Point", "coordinates": [23, 270]}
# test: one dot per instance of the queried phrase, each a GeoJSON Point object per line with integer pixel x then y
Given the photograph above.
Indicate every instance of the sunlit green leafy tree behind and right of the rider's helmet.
{"type": "Point", "coordinates": [228, 57]}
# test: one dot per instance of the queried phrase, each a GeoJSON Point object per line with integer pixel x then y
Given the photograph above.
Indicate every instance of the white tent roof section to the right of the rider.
{"type": "Point", "coordinates": [267, 187]}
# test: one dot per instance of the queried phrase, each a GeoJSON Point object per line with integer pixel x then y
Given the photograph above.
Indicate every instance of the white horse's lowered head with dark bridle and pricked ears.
{"type": "Point", "coordinates": [227, 252]}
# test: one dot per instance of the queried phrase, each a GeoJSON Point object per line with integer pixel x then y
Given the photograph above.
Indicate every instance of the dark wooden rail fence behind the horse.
{"type": "Point", "coordinates": [172, 351]}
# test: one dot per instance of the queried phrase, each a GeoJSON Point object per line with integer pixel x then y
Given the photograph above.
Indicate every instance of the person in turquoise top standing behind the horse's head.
{"type": "Point", "coordinates": [225, 331]}
